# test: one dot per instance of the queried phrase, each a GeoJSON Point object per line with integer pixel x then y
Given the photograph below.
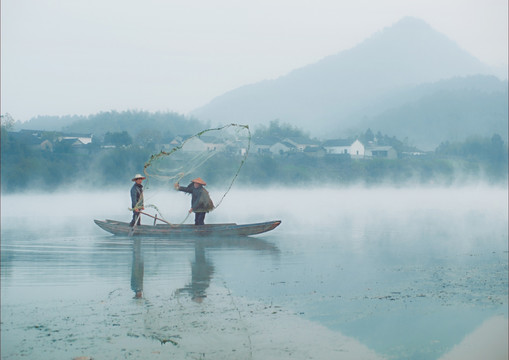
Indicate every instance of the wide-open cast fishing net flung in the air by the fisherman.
{"type": "Point", "coordinates": [214, 155]}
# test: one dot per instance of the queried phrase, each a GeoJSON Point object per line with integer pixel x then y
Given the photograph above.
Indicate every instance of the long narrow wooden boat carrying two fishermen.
{"type": "Point", "coordinates": [167, 230]}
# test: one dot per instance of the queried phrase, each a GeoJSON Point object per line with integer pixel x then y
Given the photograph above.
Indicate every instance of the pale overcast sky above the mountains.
{"type": "Point", "coordinates": [86, 56]}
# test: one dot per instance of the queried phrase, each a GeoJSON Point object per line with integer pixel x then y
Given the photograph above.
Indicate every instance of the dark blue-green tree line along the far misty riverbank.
{"type": "Point", "coordinates": [477, 158]}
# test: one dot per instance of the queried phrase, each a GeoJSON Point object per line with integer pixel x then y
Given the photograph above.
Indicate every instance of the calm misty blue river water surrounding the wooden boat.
{"type": "Point", "coordinates": [350, 273]}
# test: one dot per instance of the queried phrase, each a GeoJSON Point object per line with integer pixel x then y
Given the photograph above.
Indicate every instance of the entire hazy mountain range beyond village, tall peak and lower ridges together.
{"type": "Point", "coordinates": [407, 81]}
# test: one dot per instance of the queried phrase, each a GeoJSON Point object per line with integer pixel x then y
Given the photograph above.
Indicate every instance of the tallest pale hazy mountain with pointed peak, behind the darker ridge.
{"type": "Point", "coordinates": [334, 94]}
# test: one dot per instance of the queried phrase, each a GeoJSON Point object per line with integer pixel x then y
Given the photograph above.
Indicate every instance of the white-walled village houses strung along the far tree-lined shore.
{"type": "Point", "coordinates": [273, 146]}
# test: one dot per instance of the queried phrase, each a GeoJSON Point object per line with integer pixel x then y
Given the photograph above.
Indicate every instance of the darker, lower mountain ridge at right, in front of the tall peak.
{"type": "Point", "coordinates": [444, 112]}
